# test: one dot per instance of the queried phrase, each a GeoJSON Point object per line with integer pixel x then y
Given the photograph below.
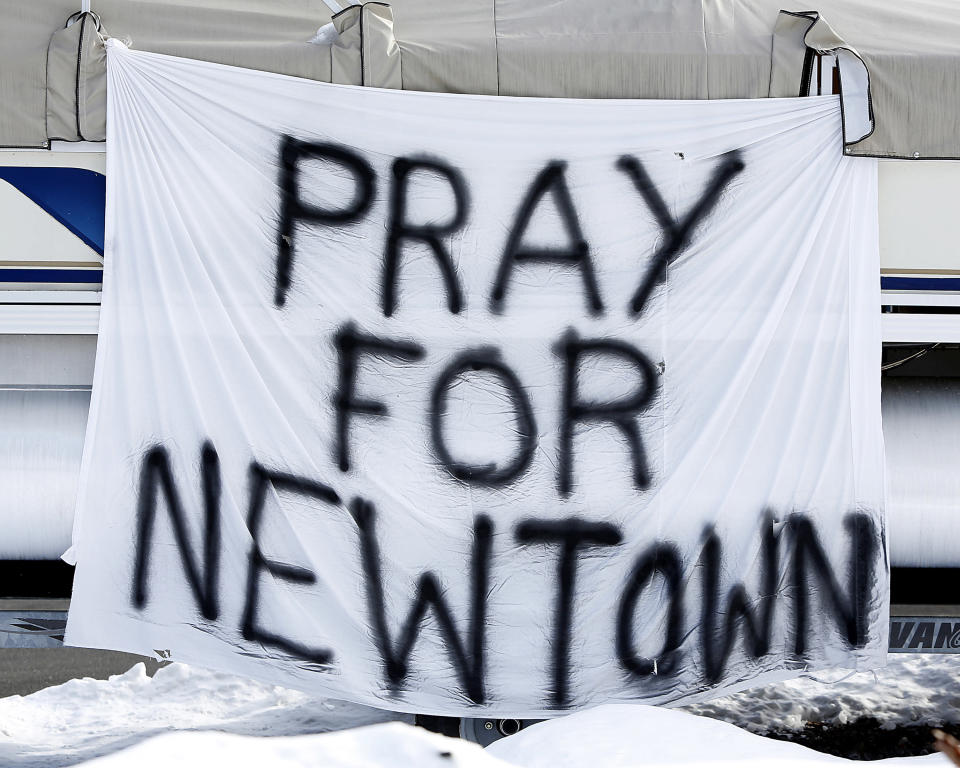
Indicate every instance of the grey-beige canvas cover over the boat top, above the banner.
{"type": "Point", "coordinates": [618, 49]}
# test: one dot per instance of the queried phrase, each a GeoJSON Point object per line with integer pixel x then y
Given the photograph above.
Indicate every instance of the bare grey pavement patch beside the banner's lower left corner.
{"type": "Point", "coordinates": [26, 670]}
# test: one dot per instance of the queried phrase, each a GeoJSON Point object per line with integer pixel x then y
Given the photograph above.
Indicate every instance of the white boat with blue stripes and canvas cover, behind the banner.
{"type": "Point", "coordinates": [52, 185]}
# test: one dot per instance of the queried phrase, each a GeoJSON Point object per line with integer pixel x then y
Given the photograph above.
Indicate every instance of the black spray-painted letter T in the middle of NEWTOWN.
{"type": "Point", "coordinates": [572, 535]}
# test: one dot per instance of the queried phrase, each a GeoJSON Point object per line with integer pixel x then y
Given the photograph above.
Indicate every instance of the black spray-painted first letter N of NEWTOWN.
{"type": "Point", "coordinates": [155, 471]}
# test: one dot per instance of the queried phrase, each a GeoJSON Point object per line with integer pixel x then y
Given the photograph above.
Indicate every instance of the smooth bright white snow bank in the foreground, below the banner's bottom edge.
{"type": "Point", "coordinates": [615, 736]}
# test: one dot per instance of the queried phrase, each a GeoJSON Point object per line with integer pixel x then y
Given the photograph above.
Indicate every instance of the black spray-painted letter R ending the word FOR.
{"type": "Point", "coordinates": [621, 413]}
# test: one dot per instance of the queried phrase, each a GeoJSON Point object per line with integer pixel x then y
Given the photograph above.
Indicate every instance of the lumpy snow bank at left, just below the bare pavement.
{"type": "Point", "coordinates": [81, 719]}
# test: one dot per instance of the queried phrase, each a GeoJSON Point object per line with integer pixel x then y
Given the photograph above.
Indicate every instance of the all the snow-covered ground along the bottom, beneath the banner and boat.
{"type": "Point", "coordinates": [210, 719]}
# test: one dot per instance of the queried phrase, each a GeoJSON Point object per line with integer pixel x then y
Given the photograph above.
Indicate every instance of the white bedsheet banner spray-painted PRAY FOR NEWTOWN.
{"type": "Point", "coordinates": [463, 404]}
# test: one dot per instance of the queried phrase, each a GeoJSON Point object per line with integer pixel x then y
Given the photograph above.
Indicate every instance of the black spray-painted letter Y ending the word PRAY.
{"type": "Point", "coordinates": [678, 234]}
